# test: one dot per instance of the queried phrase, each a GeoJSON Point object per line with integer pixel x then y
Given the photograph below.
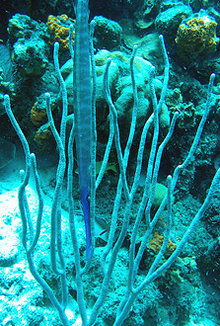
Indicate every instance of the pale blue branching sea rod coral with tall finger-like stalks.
{"type": "Point", "coordinates": [111, 252]}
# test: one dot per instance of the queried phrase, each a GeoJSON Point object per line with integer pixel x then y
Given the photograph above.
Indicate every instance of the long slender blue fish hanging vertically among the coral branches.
{"type": "Point", "coordinates": [83, 110]}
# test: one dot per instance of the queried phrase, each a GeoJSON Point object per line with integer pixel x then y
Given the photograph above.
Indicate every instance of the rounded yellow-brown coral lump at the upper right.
{"type": "Point", "coordinates": [196, 35]}
